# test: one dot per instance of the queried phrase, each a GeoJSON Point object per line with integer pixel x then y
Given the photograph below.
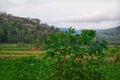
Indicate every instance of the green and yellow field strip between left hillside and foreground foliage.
{"type": "Point", "coordinates": [13, 51]}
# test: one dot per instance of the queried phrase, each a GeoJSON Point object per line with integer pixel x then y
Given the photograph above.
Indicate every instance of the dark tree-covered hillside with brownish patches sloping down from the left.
{"type": "Point", "coordinates": [15, 29]}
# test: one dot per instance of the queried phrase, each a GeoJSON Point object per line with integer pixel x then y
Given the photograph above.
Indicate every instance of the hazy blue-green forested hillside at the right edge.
{"type": "Point", "coordinates": [112, 35]}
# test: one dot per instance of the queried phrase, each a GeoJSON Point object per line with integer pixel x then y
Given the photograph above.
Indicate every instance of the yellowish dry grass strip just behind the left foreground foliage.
{"type": "Point", "coordinates": [19, 54]}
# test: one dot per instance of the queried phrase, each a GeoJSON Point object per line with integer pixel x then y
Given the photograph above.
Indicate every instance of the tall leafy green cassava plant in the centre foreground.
{"type": "Point", "coordinates": [77, 57]}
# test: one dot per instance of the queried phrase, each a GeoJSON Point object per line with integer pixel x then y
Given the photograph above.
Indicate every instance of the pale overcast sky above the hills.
{"type": "Point", "coordinates": [80, 14]}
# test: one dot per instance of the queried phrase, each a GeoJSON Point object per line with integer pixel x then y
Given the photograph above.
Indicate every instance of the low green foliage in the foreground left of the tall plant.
{"type": "Point", "coordinates": [27, 68]}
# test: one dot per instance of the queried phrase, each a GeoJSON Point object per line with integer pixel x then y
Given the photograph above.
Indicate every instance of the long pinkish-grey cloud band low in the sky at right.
{"type": "Point", "coordinates": [95, 18]}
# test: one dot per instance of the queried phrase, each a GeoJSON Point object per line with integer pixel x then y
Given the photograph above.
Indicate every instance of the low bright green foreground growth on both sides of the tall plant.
{"type": "Point", "coordinates": [30, 68]}
